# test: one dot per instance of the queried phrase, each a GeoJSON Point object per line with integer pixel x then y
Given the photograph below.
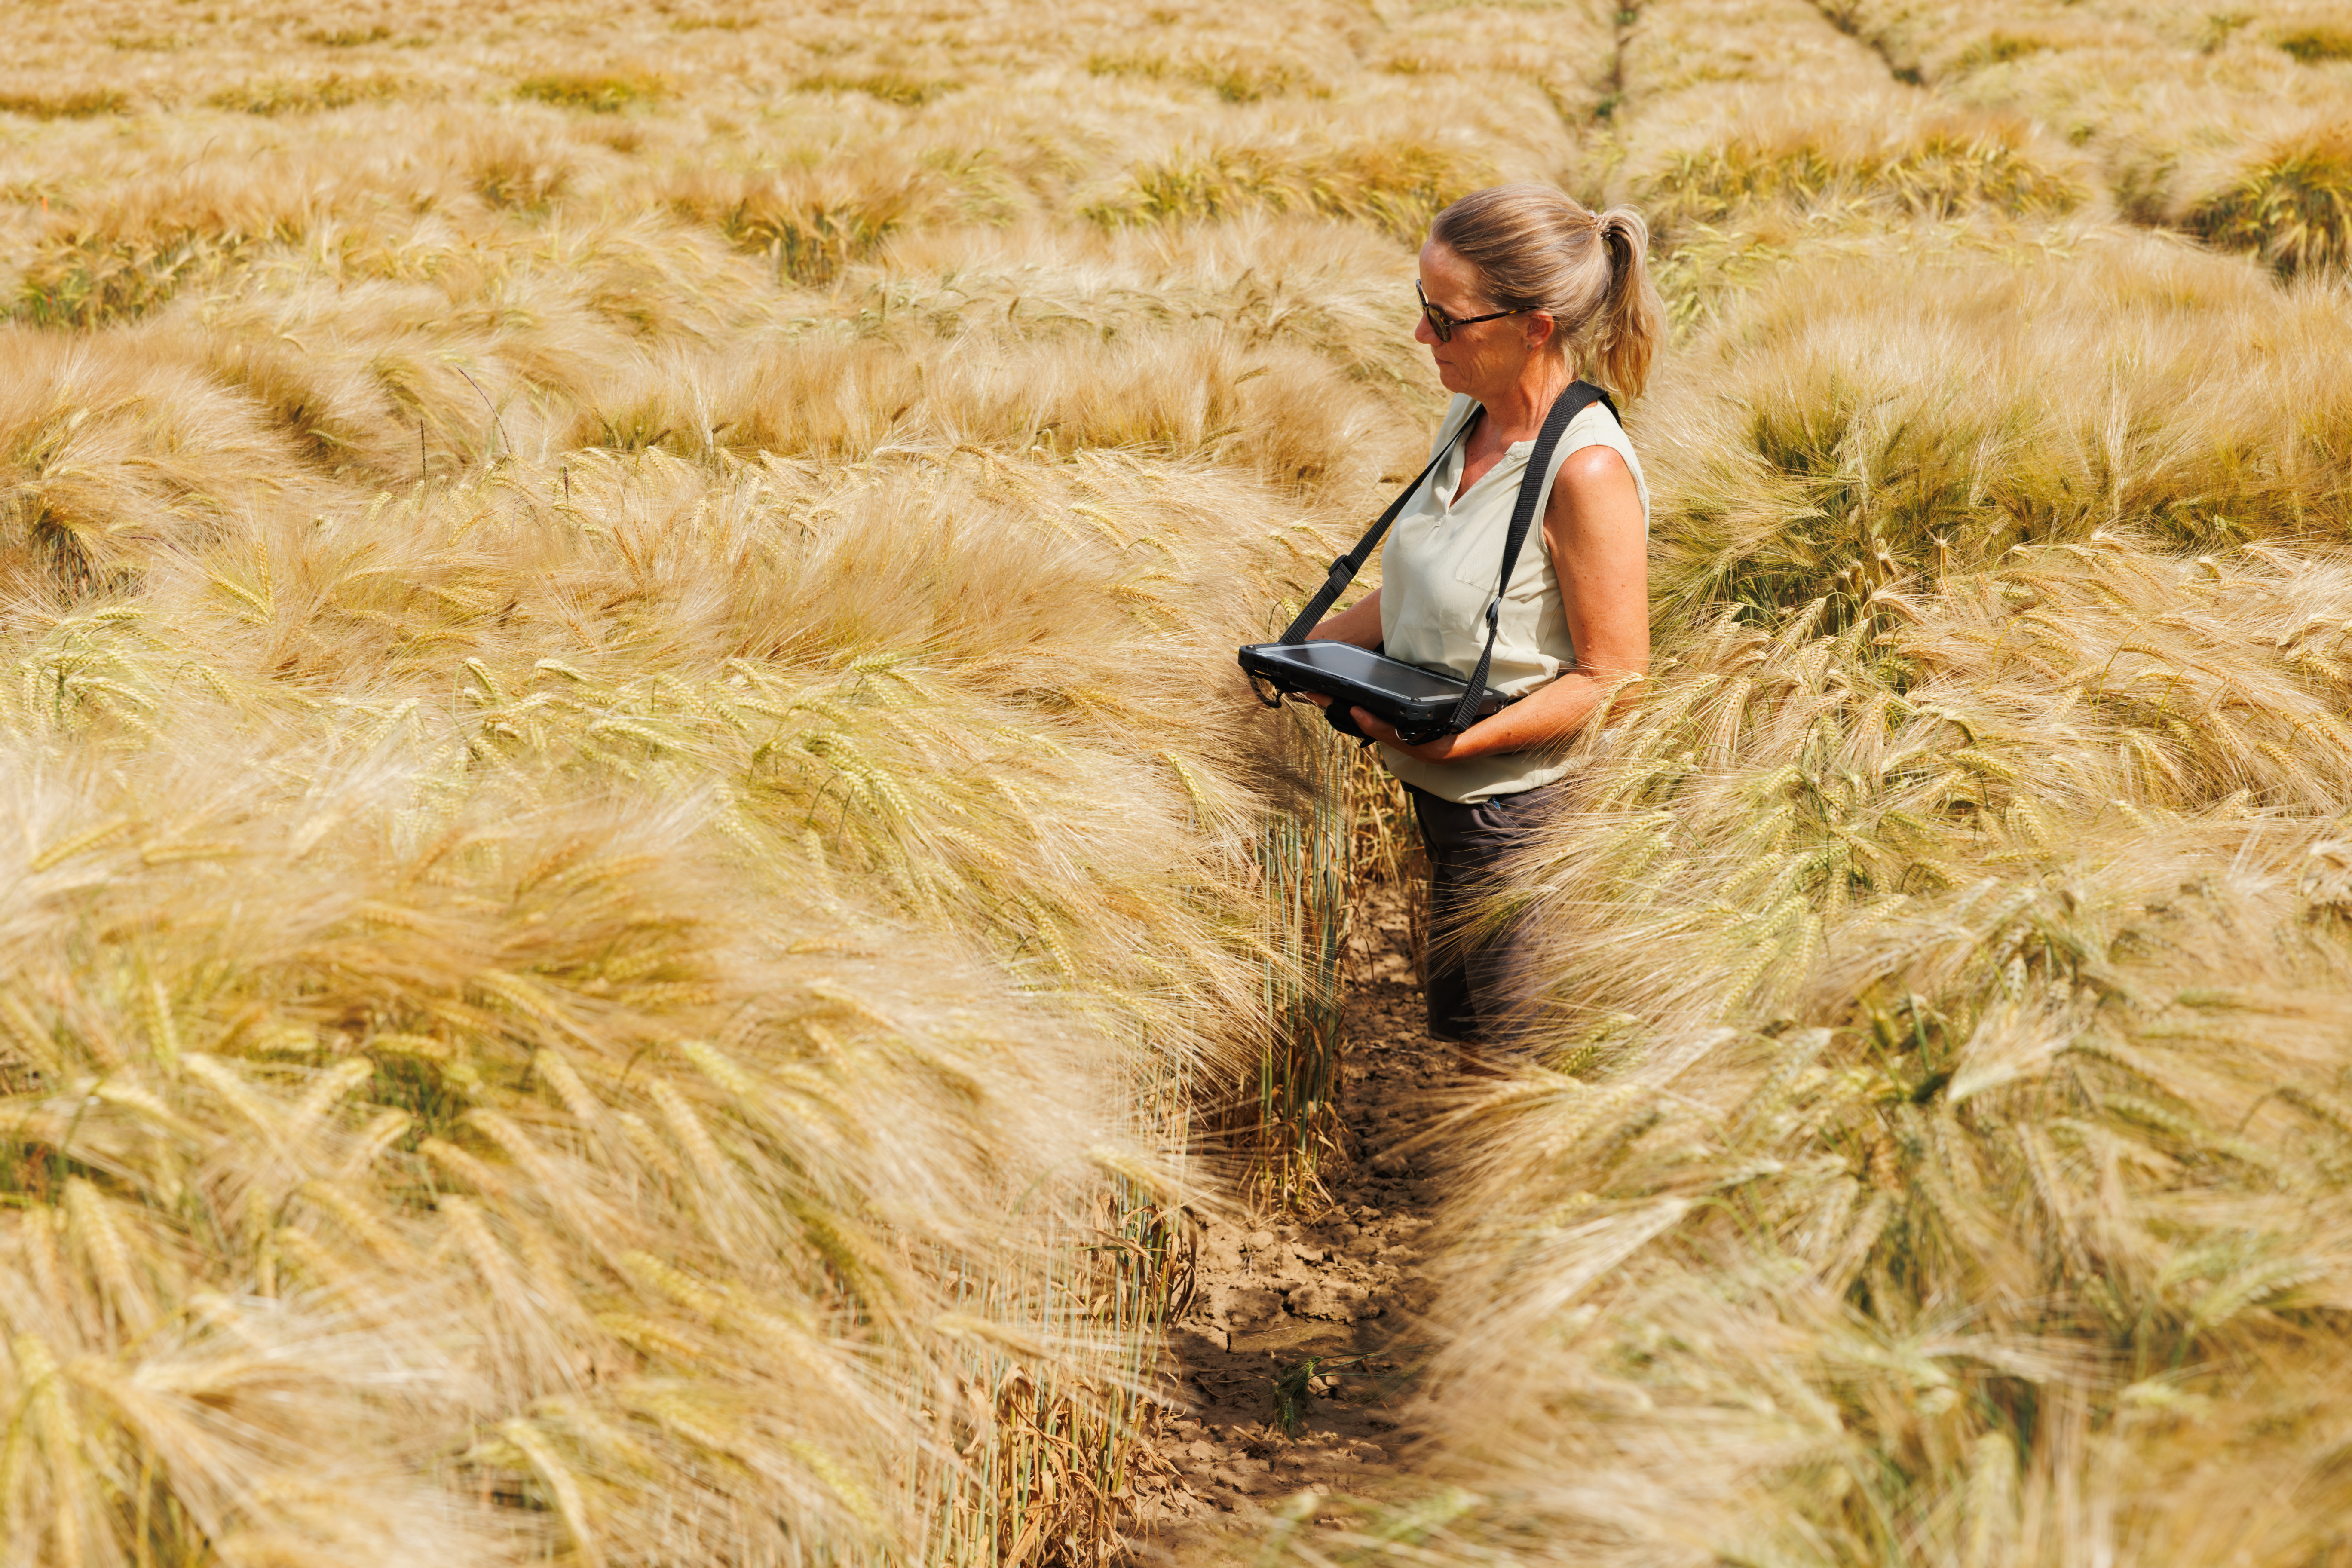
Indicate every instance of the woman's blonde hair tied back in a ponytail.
{"type": "Point", "coordinates": [1539, 250]}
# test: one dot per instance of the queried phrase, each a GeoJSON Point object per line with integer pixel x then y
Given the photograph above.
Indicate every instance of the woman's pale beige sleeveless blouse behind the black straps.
{"type": "Point", "coordinates": [1438, 572]}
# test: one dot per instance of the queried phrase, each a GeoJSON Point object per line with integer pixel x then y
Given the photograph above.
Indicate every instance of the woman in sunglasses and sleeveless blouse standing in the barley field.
{"type": "Point", "coordinates": [1521, 290]}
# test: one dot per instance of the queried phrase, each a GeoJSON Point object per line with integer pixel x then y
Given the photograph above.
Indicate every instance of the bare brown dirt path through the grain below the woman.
{"type": "Point", "coordinates": [1302, 1346]}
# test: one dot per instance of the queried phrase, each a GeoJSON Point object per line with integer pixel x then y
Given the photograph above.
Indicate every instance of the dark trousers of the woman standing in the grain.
{"type": "Point", "coordinates": [1471, 984]}
